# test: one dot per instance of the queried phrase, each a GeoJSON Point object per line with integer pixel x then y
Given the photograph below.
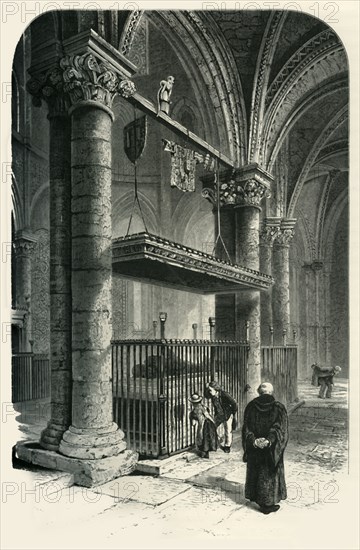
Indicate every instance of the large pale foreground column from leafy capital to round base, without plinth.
{"type": "Point", "coordinates": [92, 434]}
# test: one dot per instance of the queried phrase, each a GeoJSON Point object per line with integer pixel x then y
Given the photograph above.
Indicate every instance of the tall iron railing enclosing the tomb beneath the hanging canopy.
{"type": "Point", "coordinates": [152, 383]}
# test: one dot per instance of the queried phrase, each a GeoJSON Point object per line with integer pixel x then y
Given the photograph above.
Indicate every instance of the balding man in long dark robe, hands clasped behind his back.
{"type": "Point", "coordinates": [264, 438]}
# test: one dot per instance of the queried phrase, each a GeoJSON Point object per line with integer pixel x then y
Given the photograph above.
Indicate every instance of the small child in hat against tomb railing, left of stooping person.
{"type": "Point", "coordinates": [206, 436]}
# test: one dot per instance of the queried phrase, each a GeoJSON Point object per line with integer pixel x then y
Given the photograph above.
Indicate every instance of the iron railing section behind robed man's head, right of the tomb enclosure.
{"type": "Point", "coordinates": [279, 367]}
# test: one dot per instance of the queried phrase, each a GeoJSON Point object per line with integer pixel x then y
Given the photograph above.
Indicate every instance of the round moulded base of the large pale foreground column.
{"type": "Point", "coordinates": [92, 444]}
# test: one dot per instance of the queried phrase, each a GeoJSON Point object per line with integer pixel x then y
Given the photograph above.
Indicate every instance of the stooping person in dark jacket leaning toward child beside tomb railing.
{"type": "Point", "coordinates": [225, 407]}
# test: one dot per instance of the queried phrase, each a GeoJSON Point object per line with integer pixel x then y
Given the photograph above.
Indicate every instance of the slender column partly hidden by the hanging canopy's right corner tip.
{"type": "Point", "coordinates": [268, 233]}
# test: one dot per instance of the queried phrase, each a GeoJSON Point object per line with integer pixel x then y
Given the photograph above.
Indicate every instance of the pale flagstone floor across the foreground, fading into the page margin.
{"type": "Point", "coordinates": [193, 503]}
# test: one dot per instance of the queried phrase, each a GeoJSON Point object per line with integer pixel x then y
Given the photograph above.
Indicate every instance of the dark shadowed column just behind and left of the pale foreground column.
{"type": "Point", "coordinates": [49, 87]}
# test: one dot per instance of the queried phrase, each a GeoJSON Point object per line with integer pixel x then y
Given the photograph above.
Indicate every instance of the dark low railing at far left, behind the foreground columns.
{"type": "Point", "coordinates": [30, 377]}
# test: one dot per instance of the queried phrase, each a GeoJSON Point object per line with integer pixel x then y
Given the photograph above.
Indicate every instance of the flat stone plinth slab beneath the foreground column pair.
{"type": "Point", "coordinates": [87, 473]}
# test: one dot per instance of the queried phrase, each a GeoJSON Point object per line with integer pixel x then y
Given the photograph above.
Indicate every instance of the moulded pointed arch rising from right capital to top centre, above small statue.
{"type": "Point", "coordinates": [204, 53]}
